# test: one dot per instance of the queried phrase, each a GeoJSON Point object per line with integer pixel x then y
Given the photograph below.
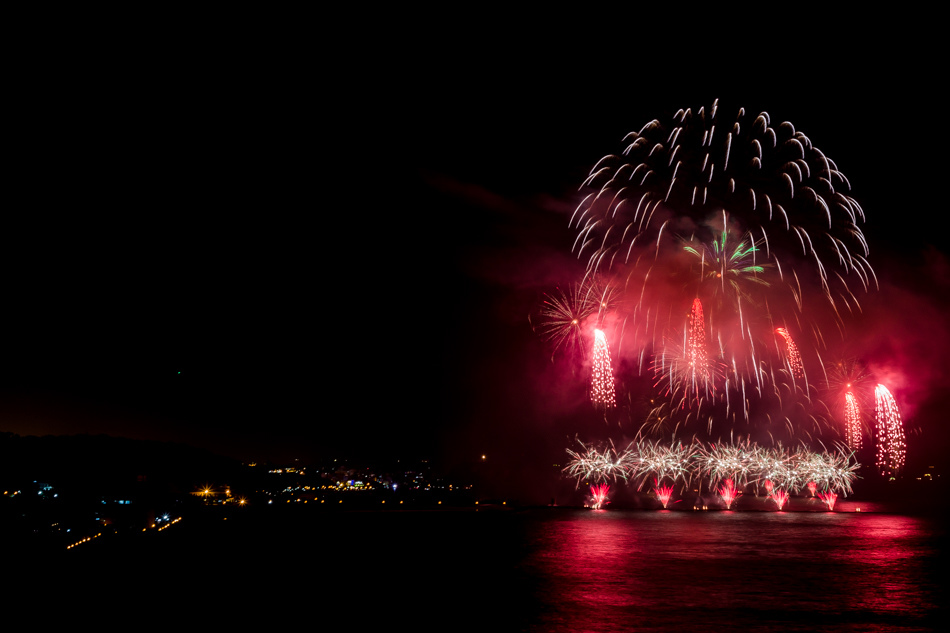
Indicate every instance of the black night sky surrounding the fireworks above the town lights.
{"type": "Point", "coordinates": [283, 259]}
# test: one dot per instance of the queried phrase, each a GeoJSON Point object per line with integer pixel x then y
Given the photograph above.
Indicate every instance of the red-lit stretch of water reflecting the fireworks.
{"type": "Point", "coordinates": [662, 571]}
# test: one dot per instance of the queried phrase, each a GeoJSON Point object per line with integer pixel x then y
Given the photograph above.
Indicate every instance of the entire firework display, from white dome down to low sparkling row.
{"type": "Point", "coordinates": [717, 250]}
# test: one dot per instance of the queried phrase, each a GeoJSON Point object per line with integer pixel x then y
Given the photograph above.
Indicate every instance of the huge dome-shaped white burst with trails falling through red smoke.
{"type": "Point", "coordinates": [755, 225]}
